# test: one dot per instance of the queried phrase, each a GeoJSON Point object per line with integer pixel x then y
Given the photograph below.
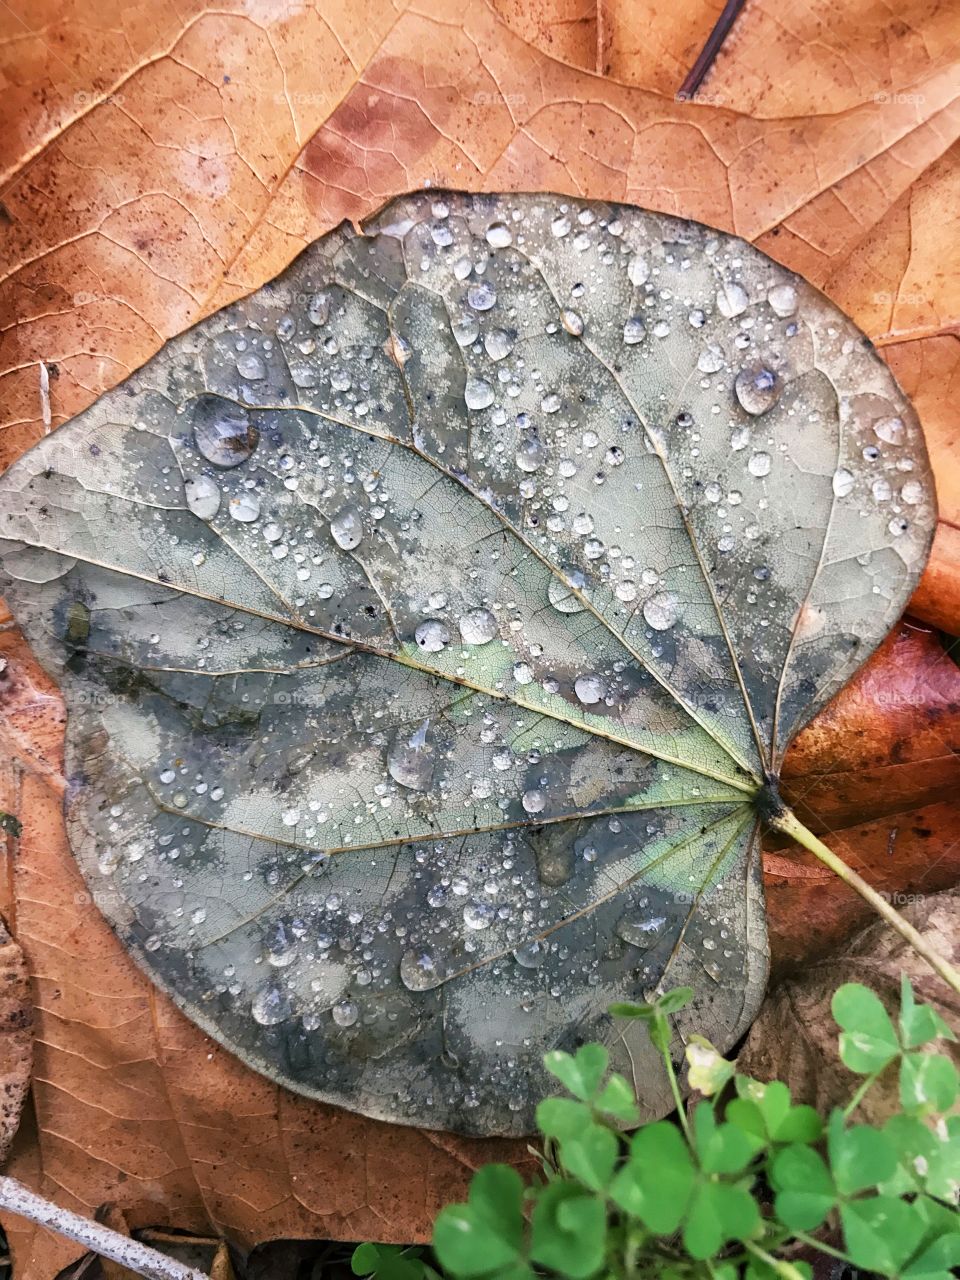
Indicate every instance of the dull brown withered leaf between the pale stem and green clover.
{"type": "Point", "coordinates": [796, 1037]}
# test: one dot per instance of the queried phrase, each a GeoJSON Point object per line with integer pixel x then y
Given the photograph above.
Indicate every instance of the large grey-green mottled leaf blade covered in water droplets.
{"type": "Point", "coordinates": [432, 620]}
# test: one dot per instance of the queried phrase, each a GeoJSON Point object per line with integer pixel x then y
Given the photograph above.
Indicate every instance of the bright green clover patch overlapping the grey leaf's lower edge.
{"type": "Point", "coordinates": [738, 1187]}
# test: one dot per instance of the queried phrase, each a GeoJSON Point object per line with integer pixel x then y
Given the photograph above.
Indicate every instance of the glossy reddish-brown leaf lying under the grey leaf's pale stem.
{"type": "Point", "coordinates": [879, 774]}
